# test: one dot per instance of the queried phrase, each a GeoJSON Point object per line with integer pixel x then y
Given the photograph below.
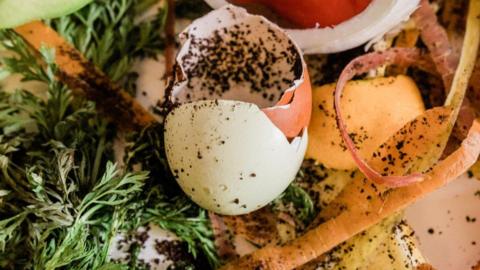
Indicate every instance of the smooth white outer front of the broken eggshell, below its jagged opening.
{"type": "Point", "coordinates": [228, 156]}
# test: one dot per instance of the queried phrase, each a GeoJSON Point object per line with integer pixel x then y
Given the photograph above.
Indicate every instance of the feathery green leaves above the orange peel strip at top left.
{"type": "Point", "coordinates": [110, 35]}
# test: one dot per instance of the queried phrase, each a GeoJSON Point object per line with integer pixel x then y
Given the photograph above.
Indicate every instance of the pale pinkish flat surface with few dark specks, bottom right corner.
{"type": "Point", "coordinates": [447, 223]}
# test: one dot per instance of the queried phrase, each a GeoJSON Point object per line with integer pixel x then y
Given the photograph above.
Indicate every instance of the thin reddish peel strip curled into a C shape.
{"type": "Point", "coordinates": [360, 65]}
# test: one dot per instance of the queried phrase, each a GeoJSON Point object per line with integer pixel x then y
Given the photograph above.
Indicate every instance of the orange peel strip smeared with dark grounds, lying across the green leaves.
{"type": "Point", "coordinates": [79, 74]}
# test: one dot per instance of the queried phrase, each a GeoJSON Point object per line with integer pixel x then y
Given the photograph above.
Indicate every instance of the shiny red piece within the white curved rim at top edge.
{"type": "Point", "coordinates": [309, 13]}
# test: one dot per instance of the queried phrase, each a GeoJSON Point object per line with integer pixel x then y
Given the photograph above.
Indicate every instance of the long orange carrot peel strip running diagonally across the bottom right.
{"type": "Point", "coordinates": [368, 212]}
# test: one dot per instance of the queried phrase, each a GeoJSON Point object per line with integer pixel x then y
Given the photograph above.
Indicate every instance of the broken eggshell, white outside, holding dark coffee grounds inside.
{"type": "Point", "coordinates": [236, 136]}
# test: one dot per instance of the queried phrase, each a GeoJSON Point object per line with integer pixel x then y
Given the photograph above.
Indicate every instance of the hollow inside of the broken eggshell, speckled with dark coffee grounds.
{"type": "Point", "coordinates": [237, 56]}
